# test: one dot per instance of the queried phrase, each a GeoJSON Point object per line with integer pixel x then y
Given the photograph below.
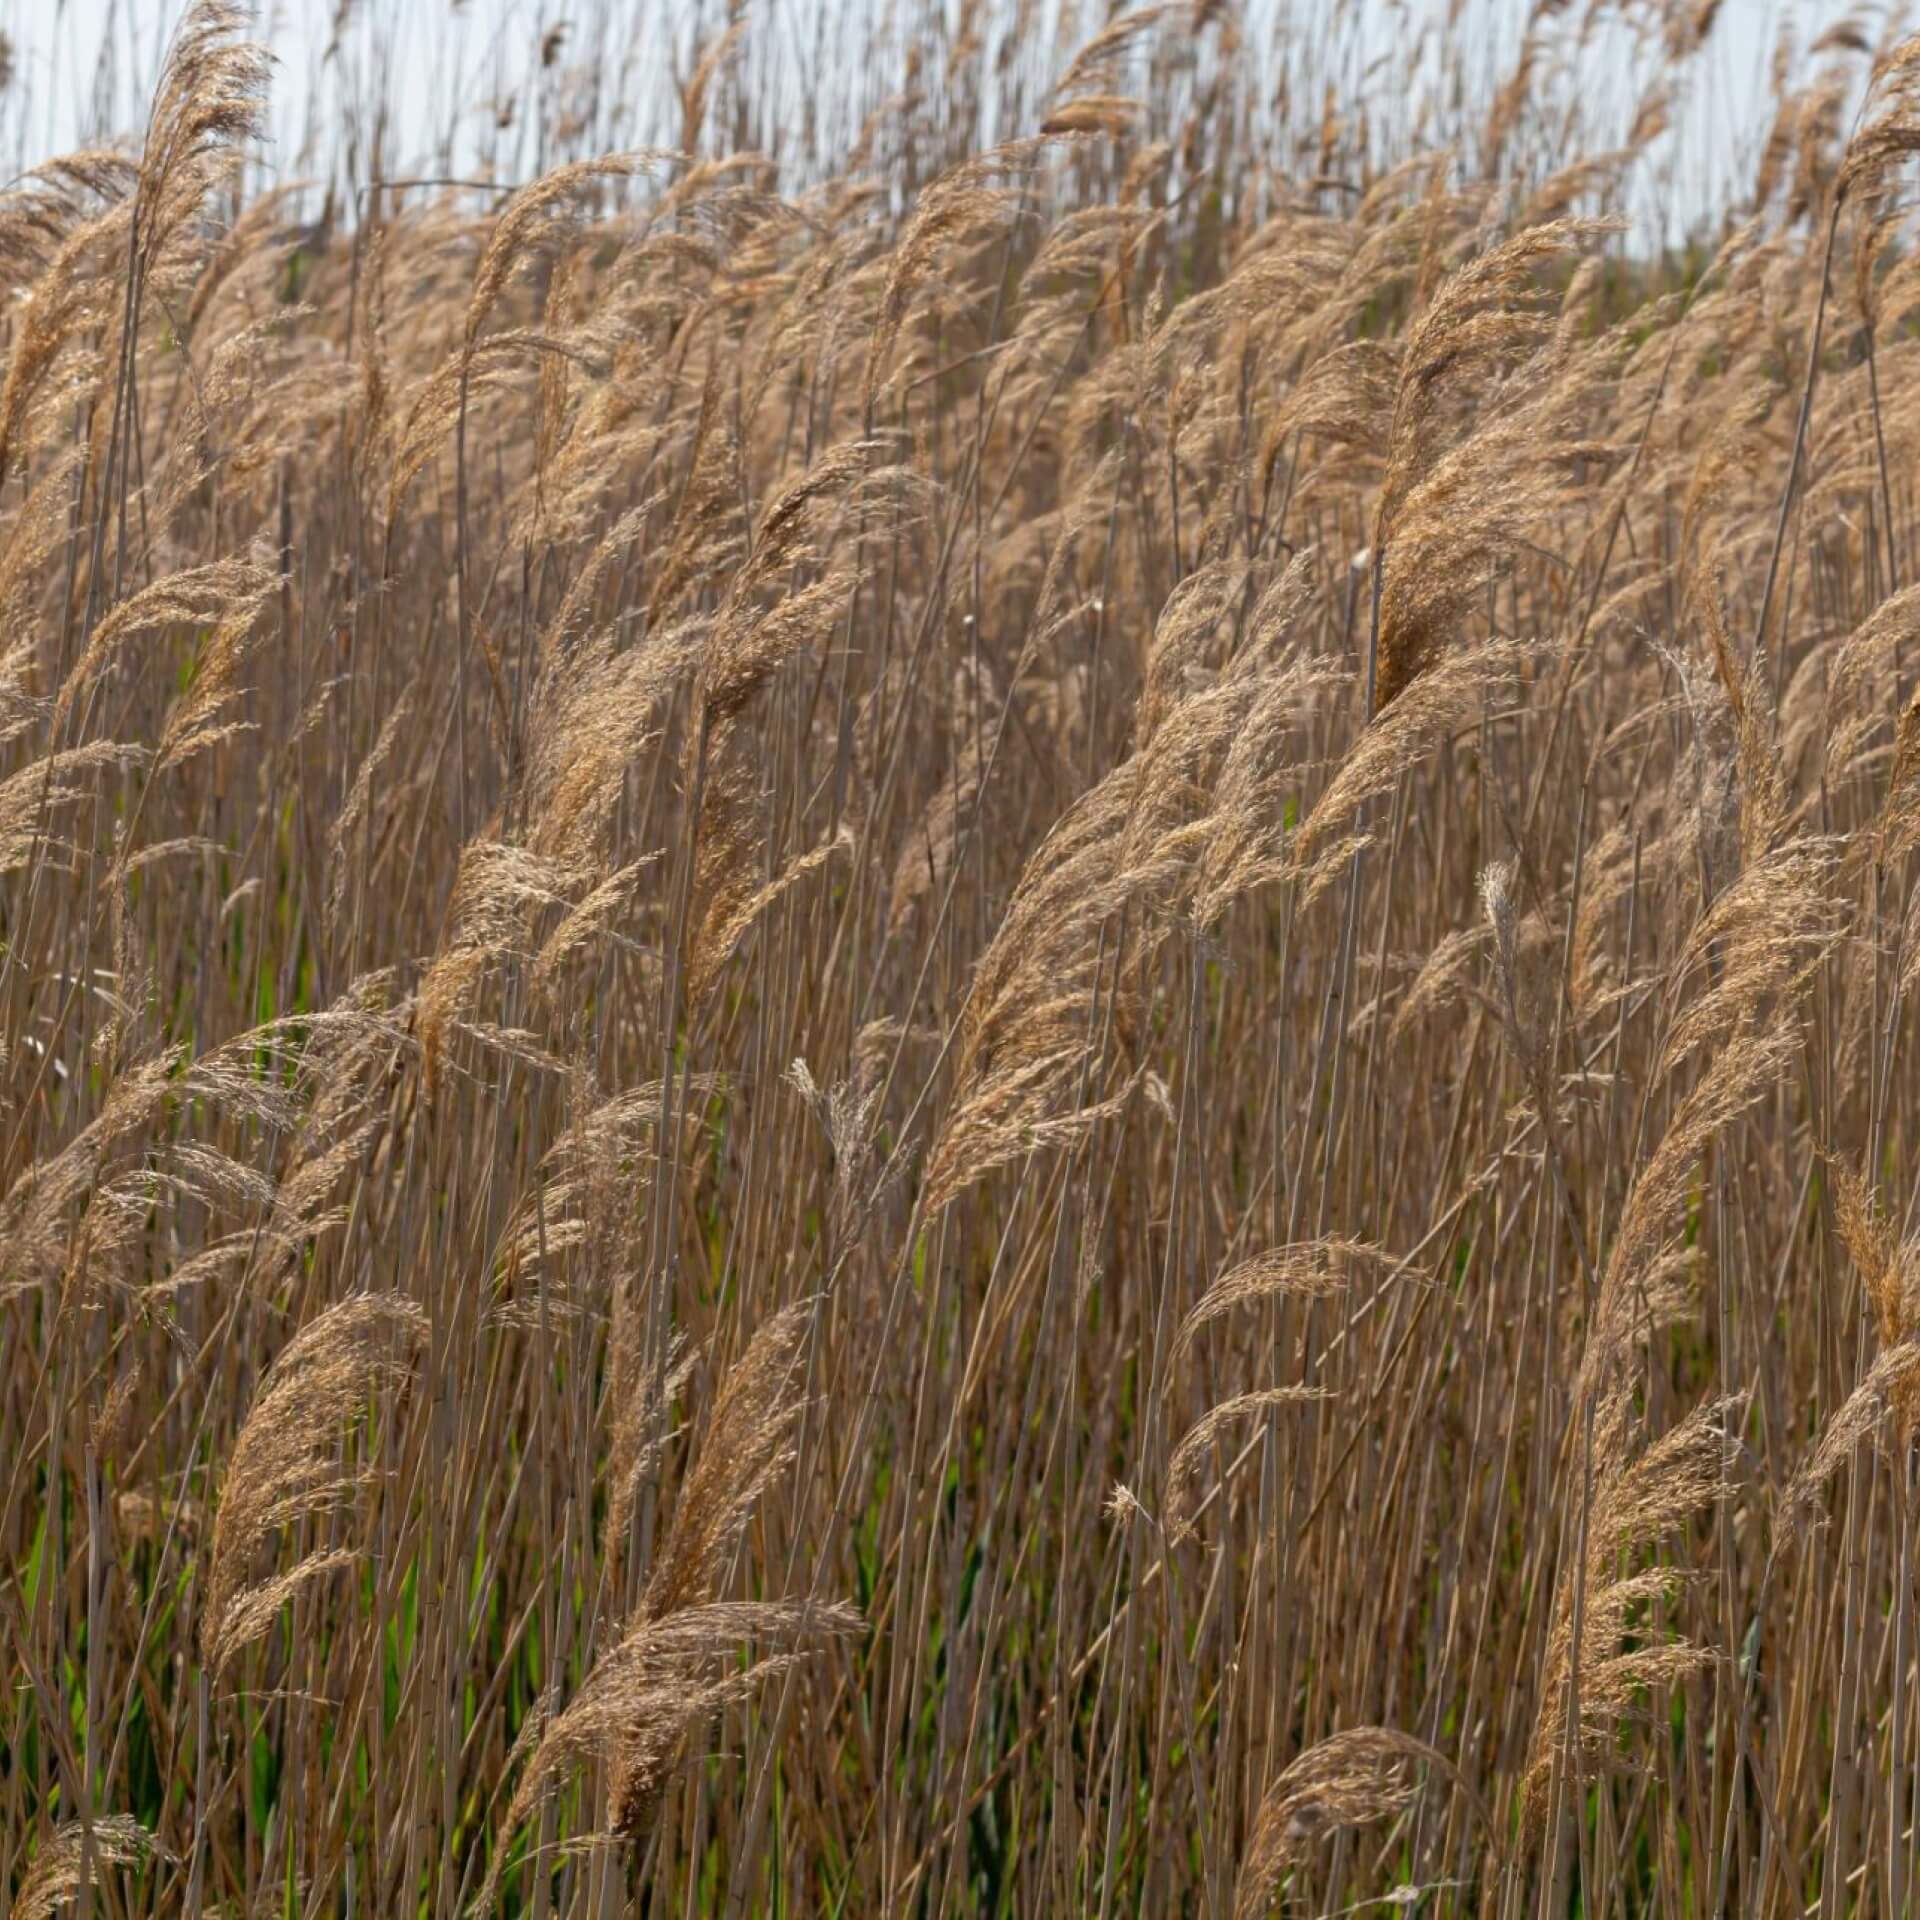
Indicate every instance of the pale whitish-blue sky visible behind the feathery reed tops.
{"type": "Point", "coordinates": [443, 60]}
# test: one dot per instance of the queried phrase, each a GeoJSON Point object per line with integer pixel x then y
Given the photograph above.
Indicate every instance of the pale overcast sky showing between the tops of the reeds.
{"type": "Point", "coordinates": [450, 57]}
